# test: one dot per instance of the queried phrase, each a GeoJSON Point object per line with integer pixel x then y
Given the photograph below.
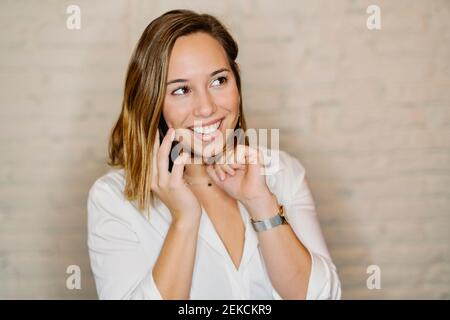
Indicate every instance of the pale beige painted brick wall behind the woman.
{"type": "Point", "coordinates": [366, 112]}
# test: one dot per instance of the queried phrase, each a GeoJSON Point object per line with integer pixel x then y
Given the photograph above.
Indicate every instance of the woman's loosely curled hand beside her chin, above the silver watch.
{"type": "Point", "coordinates": [241, 175]}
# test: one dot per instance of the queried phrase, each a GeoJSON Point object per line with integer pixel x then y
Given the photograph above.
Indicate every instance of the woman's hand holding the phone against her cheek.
{"type": "Point", "coordinates": [170, 186]}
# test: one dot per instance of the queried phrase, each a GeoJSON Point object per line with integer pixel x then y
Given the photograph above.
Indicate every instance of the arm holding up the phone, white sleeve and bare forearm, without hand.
{"type": "Point", "coordinates": [118, 261]}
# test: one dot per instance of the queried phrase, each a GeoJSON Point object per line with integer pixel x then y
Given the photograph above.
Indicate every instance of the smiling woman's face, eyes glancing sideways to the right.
{"type": "Point", "coordinates": [202, 99]}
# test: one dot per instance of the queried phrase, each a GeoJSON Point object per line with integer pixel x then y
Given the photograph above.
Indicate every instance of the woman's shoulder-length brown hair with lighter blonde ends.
{"type": "Point", "coordinates": [131, 140]}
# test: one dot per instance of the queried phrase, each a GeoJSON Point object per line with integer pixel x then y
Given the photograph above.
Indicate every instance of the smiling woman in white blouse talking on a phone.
{"type": "Point", "coordinates": [182, 225]}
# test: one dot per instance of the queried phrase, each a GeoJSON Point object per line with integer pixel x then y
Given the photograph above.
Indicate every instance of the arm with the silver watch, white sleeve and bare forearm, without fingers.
{"type": "Point", "coordinates": [296, 255]}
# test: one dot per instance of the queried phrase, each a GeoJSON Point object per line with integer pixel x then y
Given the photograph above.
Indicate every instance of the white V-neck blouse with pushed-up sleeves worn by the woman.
{"type": "Point", "coordinates": [124, 244]}
